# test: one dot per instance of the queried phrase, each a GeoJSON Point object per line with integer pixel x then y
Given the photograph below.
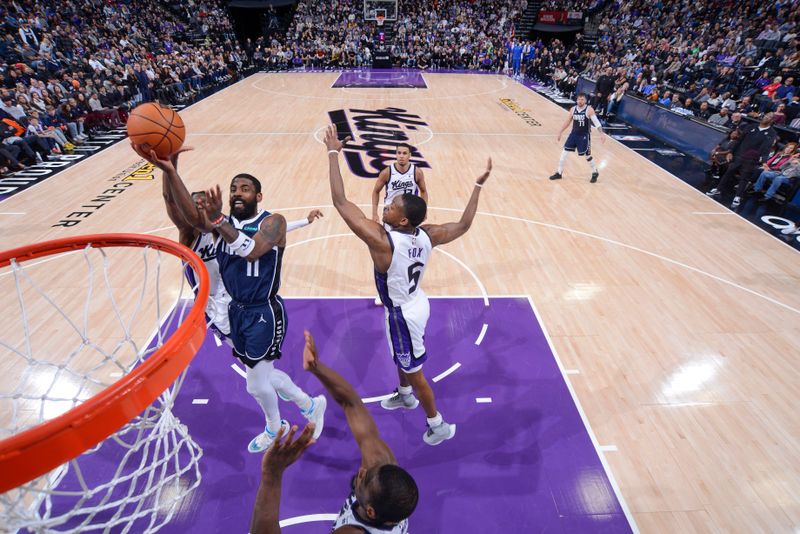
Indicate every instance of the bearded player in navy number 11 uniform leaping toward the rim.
{"type": "Point", "coordinates": [249, 257]}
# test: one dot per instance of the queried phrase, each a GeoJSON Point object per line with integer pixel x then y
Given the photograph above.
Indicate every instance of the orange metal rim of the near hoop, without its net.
{"type": "Point", "coordinates": [36, 451]}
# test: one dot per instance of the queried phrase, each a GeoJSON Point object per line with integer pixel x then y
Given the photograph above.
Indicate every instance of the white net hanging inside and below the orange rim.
{"type": "Point", "coordinates": [77, 323]}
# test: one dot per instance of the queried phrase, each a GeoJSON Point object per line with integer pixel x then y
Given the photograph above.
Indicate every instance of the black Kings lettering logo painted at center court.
{"type": "Point", "coordinates": [375, 135]}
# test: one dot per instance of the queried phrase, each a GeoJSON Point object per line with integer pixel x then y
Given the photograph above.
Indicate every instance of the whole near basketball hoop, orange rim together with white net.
{"type": "Point", "coordinates": [130, 416]}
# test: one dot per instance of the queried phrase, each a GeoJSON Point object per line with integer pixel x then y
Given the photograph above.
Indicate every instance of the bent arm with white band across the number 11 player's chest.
{"type": "Point", "coordinates": [271, 232]}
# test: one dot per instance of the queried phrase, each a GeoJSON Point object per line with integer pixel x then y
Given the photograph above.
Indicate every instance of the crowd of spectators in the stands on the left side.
{"type": "Point", "coordinates": [68, 70]}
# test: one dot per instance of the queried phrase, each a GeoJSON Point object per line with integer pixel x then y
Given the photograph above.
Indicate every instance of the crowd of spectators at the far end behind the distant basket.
{"type": "Point", "coordinates": [446, 34]}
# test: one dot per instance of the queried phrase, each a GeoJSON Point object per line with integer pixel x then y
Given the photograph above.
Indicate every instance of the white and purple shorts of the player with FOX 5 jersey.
{"type": "Point", "coordinates": [405, 332]}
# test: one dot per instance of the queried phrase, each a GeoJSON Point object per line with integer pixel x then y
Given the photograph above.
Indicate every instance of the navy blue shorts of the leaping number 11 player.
{"type": "Point", "coordinates": [257, 330]}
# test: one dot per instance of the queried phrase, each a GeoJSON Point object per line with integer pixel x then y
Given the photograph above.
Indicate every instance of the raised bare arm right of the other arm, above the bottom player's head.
{"type": "Point", "coordinates": [373, 449]}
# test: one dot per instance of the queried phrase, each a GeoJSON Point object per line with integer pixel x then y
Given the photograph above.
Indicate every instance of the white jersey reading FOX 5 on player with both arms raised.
{"type": "Point", "coordinates": [410, 254]}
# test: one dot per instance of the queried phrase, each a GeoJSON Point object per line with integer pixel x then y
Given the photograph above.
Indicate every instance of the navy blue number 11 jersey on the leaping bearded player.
{"type": "Point", "coordinates": [250, 282]}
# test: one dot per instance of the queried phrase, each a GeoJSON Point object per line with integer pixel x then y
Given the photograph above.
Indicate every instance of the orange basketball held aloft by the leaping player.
{"type": "Point", "coordinates": [155, 127]}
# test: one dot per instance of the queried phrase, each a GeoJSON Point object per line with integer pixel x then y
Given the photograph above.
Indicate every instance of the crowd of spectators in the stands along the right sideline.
{"type": "Point", "coordinates": [732, 64]}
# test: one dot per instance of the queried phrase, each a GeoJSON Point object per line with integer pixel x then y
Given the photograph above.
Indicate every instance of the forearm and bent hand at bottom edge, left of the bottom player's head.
{"type": "Point", "coordinates": [280, 455]}
